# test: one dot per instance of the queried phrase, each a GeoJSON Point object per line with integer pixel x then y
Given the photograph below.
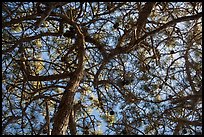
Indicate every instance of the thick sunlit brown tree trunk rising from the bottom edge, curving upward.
{"type": "Point", "coordinates": [62, 116]}
